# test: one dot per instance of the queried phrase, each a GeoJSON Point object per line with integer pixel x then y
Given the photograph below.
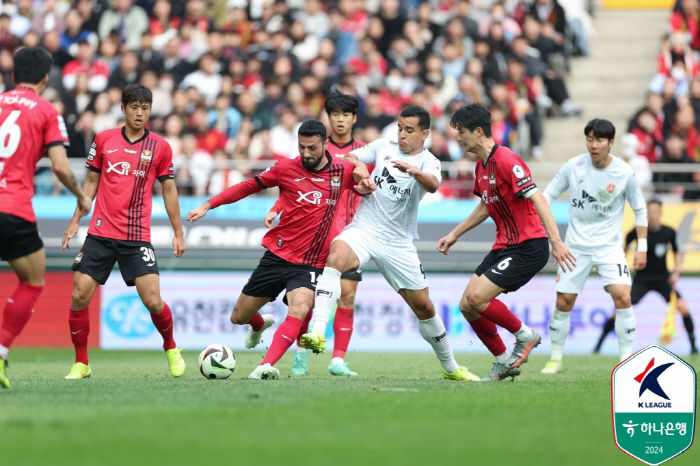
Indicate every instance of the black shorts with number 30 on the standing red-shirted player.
{"type": "Point", "coordinates": [98, 256]}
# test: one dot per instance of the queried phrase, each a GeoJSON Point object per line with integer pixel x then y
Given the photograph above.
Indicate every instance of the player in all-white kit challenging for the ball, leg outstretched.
{"type": "Point", "coordinates": [383, 230]}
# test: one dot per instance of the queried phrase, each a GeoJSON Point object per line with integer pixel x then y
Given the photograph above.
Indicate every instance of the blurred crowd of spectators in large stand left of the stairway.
{"type": "Point", "coordinates": [234, 79]}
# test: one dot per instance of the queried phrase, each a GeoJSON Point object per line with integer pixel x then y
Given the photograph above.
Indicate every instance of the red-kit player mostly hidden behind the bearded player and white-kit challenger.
{"type": "Point", "coordinates": [342, 113]}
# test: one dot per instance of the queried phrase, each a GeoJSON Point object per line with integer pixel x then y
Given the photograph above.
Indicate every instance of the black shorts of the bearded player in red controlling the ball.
{"type": "Point", "coordinates": [273, 274]}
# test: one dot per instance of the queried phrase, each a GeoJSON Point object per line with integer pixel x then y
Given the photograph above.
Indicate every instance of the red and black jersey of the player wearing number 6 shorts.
{"type": "Point", "coordinates": [501, 183]}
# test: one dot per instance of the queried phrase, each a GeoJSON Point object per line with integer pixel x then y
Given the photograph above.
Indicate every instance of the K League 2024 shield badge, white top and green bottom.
{"type": "Point", "coordinates": [653, 404]}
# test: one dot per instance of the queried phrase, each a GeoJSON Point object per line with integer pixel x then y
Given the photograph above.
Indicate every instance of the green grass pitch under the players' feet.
{"type": "Point", "coordinates": [398, 411]}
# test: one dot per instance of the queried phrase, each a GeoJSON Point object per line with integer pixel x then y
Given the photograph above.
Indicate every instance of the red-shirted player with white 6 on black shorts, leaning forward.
{"type": "Point", "coordinates": [510, 197]}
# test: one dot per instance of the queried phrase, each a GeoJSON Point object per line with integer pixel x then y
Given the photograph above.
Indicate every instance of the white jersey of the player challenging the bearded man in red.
{"type": "Point", "coordinates": [391, 211]}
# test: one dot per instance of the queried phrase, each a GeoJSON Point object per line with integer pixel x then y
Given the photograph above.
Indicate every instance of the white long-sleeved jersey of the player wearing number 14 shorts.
{"type": "Point", "coordinates": [597, 201]}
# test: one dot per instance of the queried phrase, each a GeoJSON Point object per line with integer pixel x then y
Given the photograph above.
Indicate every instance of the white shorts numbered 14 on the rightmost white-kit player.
{"type": "Point", "coordinates": [611, 265]}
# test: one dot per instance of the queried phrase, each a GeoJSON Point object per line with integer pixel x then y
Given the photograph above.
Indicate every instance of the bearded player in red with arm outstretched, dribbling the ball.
{"type": "Point", "coordinates": [311, 186]}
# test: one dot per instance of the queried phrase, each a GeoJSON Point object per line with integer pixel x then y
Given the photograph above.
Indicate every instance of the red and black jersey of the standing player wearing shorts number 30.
{"type": "Point", "coordinates": [128, 171]}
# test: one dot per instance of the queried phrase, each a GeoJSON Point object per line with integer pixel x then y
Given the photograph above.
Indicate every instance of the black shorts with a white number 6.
{"type": "Point", "coordinates": [513, 267]}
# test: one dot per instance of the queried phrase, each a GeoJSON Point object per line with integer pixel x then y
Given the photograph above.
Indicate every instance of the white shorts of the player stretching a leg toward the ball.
{"type": "Point", "coordinates": [398, 262]}
